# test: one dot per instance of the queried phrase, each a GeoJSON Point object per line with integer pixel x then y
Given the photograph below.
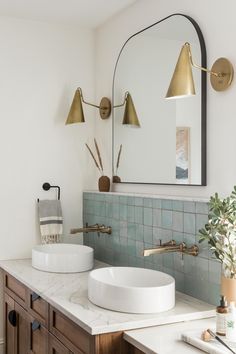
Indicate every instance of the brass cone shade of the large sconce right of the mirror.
{"type": "Point", "coordinates": [182, 83]}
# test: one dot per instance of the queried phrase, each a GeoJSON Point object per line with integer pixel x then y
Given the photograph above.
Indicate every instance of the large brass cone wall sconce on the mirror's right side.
{"type": "Point", "coordinates": [182, 83]}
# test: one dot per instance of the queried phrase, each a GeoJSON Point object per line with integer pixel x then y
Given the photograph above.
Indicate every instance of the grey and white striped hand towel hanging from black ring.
{"type": "Point", "coordinates": [50, 220]}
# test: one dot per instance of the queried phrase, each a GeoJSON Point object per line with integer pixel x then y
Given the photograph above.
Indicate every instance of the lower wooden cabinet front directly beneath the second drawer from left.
{"type": "Point", "coordinates": [38, 336]}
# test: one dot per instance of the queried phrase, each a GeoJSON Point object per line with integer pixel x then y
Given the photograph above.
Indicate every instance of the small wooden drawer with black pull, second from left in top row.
{"type": "Point", "coordinates": [38, 308]}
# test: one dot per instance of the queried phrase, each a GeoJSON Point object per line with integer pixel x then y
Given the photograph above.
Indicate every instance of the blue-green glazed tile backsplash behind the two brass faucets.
{"type": "Point", "coordinates": [140, 222]}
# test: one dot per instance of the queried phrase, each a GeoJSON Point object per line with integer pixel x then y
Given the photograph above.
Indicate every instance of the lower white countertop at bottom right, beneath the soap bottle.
{"type": "Point", "coordinates": [167, 339]}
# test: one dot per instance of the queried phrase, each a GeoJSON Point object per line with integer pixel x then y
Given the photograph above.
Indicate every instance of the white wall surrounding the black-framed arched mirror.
{"type": "Point", "coordinates": [219, 34]}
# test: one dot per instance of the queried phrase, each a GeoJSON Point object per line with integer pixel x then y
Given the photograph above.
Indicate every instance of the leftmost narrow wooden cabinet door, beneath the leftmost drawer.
{"type": "Point", "coordinates": [9, 325]}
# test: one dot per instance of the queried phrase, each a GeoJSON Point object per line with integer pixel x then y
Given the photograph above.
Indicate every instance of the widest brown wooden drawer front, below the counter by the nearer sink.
{"type": "Point", "coordinates": [69, 333]}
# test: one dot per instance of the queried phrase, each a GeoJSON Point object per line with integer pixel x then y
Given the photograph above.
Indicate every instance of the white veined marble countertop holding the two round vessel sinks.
{"type": "Point", "coordinates": [69, 294]}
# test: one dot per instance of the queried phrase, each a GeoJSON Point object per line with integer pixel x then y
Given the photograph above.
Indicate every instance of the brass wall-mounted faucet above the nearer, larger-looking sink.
{"type": "Point", "coordinates": [171, 246]}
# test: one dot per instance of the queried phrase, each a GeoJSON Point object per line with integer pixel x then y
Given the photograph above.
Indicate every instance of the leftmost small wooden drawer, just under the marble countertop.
{"type": "Point", "coordinates": [15, 289]}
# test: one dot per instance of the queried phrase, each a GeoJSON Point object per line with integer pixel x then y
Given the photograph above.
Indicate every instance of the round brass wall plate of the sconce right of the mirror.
{"type": "Point", "coordinates": [222, 82]}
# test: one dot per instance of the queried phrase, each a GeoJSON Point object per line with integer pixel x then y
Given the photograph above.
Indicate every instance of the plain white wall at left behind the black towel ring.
{"type": "Point", "coordinates": [41, 66]}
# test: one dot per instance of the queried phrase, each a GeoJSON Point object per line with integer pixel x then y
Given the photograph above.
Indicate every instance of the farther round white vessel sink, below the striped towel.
{"type": "Point", "coordinates": [62, 258]}
